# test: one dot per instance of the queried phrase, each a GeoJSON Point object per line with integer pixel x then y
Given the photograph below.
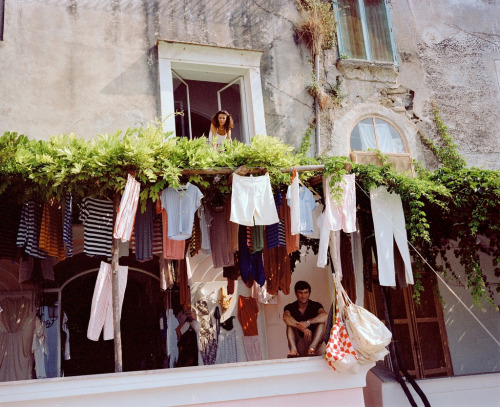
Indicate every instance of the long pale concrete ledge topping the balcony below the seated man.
{"type": "Point", "coordinates": [184, 386]}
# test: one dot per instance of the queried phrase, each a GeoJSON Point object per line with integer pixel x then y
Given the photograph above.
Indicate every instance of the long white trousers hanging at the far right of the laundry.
{"type": "Point", "coordinates": [389, 225]}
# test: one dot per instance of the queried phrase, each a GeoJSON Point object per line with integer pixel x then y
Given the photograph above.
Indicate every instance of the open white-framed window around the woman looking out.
{"type": "Point", "coordinates": [199, 80]}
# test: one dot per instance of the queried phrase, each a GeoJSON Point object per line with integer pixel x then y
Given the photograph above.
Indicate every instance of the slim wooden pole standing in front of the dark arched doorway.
{"type": "Point", "coordinates": [115, 251]}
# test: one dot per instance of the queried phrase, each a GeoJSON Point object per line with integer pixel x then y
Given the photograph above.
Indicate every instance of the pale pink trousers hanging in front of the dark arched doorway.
{"type": "Point", "coordinates": [101, 313]}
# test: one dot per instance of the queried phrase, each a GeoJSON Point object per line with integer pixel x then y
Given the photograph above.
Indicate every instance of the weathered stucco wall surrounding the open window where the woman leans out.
{"type": "Point", "coordinates": [90, 67]}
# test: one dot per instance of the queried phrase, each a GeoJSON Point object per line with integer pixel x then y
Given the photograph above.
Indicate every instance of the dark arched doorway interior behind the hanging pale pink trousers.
{"type": "Point", "coordinates": [142, 346]}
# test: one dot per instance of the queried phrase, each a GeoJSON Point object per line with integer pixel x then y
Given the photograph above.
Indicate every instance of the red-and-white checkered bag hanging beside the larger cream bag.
{"type": "Point", "coordinates": [340, 353]}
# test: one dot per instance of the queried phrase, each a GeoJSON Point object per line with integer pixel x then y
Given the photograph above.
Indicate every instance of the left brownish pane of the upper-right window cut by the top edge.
{"type": "Point", "coordinates": [351, 31]}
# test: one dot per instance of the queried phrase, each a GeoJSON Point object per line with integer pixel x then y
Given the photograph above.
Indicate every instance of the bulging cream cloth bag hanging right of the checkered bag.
{"type": "Point", "coordinates": [368, 334]}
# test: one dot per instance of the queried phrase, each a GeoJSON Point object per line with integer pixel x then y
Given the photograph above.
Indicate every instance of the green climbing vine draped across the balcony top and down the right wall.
{"type": "Point", "coordinates": [454, 207]}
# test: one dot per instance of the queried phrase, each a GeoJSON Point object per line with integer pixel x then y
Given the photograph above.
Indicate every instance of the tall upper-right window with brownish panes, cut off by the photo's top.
{"type": "Point", "coordinates": [364, 30]}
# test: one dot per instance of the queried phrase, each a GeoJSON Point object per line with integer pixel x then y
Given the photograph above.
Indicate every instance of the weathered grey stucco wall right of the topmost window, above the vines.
{"type": "Point", "coordinates": [447, 51]}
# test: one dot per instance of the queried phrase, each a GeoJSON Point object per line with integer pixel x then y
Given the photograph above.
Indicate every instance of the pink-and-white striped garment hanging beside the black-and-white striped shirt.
{"type": "Point", "coordinates": [128, 207]}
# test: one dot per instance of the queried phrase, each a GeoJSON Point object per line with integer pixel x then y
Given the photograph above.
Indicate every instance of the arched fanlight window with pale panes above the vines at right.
{"type": "Point", "coordinates": [376, 133]}
